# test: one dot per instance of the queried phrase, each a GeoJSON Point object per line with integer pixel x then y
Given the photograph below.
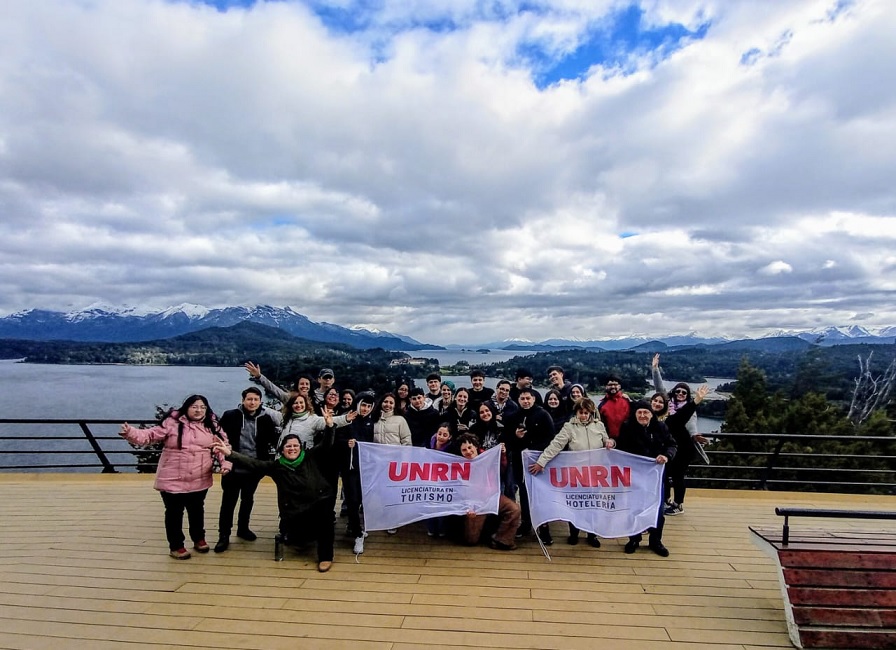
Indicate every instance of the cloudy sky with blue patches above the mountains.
{"type": "Point", "coordinates": [455, 170]}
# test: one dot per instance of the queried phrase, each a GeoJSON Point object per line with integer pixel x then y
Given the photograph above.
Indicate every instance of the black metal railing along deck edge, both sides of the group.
{"type": "Point", "coordinates": [764, 461]}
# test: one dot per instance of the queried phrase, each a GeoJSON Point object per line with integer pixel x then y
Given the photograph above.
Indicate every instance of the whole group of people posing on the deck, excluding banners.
{"type": "Point", "coordinates": [311, 443]}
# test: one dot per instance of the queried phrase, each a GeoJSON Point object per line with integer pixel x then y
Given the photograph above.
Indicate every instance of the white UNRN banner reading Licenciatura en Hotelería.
{"type": "Point", "coordinates": [603, 491]}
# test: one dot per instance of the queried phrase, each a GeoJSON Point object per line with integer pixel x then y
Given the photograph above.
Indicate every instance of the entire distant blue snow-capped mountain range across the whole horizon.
{"type": "Point", "coordinates": [114, 325]}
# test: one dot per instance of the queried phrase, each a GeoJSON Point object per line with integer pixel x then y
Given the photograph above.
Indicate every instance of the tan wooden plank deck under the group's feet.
{"type": "Point", "coordinates": [84, 564]}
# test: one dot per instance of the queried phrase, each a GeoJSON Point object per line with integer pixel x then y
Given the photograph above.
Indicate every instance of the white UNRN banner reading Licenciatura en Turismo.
{"type": "Point", "coordinates": [401, 485]}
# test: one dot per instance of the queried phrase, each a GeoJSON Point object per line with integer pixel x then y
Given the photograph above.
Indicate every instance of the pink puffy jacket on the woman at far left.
{"type": "Point", "coordinates": [188, 469]}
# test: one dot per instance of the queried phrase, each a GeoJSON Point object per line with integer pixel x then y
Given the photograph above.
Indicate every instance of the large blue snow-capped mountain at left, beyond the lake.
{"type": "Point", "coordinates": [101, 323]}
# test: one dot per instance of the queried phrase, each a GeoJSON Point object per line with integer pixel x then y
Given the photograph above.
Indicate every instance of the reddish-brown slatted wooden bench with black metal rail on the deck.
{"type": "Point", "coordinates": [839, 587]}
